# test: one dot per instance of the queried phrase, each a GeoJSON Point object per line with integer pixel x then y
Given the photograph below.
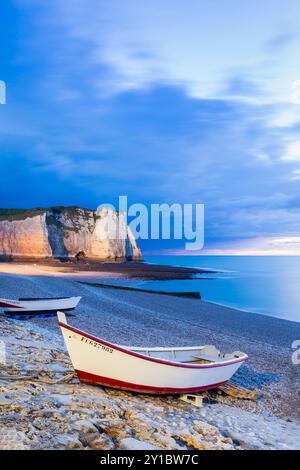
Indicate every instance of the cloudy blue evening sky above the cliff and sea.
{"type": "Point", "coordinates": [165, 102]}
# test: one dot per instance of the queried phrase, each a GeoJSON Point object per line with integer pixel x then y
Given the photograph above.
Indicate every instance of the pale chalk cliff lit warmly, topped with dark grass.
{"type": "Point", "coordinates": [64, 232]}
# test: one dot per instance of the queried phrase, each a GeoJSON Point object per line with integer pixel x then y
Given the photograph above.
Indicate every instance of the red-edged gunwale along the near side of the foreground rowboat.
{"type": "Point", "coordinates": [153, 359]}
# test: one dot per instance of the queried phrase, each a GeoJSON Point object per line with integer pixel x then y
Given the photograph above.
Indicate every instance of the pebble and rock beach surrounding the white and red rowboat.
{"type": "Point", "coordinates": [41, 412]}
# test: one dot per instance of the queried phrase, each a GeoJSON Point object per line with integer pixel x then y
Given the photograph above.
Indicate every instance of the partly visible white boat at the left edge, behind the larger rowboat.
{"type": "Point", "coordinates": [34, 306]}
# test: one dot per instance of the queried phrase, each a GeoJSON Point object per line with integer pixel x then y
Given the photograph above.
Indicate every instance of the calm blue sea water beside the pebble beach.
{"type": "Point", "coordinates": [269, 285]}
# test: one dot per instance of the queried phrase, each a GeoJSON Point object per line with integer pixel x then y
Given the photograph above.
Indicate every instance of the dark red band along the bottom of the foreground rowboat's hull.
{"type": "Point", "coordinates": [93, 379]}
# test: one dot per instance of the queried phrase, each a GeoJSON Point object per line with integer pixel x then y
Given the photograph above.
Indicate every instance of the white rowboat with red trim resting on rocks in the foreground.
{"type": "Point", "coordinates": [148, 370]}
